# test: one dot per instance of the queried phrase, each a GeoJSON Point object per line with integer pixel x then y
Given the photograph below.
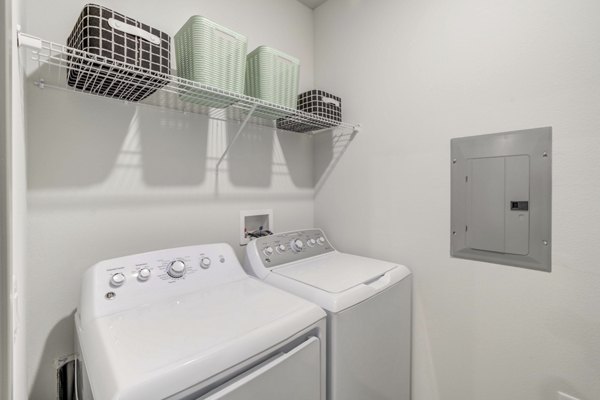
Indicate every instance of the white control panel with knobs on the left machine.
{"type": "Point", "coordinates": [143, 279]}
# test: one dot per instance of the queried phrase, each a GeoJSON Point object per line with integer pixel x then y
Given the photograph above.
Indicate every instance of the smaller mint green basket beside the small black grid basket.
{"type": "Point", "coordinates": [272, 75]}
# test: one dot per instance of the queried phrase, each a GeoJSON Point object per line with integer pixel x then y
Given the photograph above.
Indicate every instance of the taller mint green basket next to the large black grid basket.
{"type": "Point", "coordinates": [213, 55]}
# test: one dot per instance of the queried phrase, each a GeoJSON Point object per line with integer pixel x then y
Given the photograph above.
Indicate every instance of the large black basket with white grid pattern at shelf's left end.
{"type": "Point", "coordinates": [117, 56]}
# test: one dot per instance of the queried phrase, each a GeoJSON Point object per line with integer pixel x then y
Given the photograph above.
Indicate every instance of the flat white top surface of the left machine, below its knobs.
{"type": "Point", "coordinates": [162, 348]}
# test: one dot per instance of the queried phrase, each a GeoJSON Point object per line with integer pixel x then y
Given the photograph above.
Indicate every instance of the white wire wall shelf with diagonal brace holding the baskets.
{"type": "Point", "coordinates": [59, 66]}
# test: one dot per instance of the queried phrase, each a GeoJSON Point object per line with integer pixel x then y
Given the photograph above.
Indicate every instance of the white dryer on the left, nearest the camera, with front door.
{"type": "Point", "coordinates": [189, 323]}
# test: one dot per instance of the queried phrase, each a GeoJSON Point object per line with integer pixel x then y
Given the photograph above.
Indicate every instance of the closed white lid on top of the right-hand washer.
{"type": "Point", "coordinates": [335, 272]}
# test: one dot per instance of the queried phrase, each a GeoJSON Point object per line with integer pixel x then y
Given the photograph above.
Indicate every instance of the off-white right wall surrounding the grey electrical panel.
{"type": "Point", "coordinates": [417, 73]}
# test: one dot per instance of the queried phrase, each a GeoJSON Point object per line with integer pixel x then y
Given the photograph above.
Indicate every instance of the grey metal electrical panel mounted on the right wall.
{"type": "Point", "coordinates": [501, 198]}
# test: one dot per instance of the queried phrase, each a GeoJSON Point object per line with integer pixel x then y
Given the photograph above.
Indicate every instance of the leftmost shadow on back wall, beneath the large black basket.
{"type": "Point", "coordinates": [69, 142]}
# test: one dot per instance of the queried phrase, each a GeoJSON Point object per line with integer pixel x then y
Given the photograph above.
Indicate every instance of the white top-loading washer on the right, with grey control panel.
{"type": "Point", "coordinates": [368, 303]}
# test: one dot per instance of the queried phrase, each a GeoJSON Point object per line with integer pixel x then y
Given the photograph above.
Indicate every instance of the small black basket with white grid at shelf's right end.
{"type": "Point", "coordinates": [319, 103]}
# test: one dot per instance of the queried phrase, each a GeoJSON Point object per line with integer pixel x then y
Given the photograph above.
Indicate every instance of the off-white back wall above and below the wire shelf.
{"type": "Point", "coordinates": [107, 180]}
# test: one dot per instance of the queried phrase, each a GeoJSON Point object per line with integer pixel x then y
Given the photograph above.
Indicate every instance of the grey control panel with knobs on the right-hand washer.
{"type": "Point", "coordinates": [283, 248]}
